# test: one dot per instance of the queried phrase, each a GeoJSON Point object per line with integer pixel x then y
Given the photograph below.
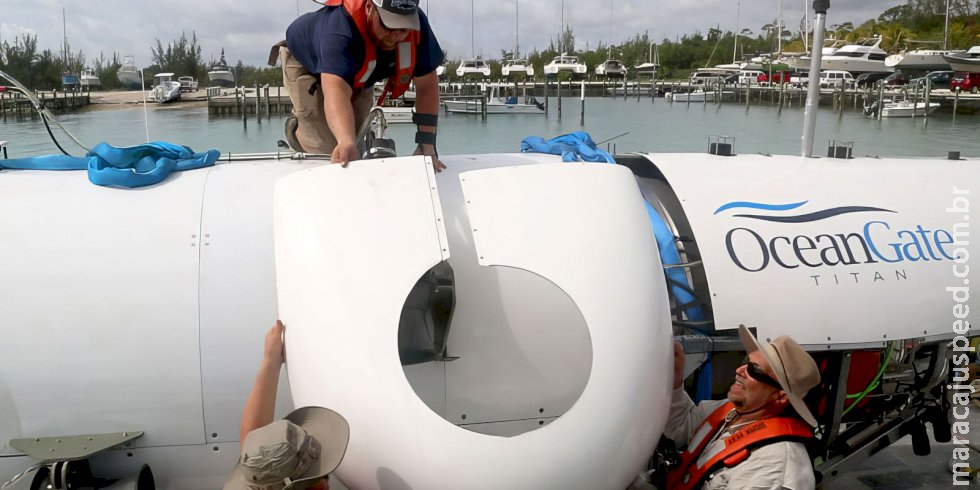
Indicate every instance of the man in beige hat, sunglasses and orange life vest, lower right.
{"type": "Point", "coordinates": [755, 438]}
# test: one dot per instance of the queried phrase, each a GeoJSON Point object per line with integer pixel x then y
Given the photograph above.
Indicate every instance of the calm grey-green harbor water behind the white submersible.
{"type": "Point", "coordinates": [657, 127]}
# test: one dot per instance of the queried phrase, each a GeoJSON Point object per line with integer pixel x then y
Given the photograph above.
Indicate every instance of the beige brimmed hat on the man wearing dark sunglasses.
{"type": "Point", "coordinates": [794, 368]}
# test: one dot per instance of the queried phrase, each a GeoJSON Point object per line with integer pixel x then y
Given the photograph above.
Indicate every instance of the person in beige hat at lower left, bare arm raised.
{"type": "Point", "coordinates": [295, 453]}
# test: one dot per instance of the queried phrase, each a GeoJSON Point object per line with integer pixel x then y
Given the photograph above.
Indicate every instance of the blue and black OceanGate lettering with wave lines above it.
{"type": "Point", "coordinates": [877, 241]}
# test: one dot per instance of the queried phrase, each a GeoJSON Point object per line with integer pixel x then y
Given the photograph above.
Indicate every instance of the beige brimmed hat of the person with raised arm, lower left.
{"type": "Point", "coordinates": [293, 453]}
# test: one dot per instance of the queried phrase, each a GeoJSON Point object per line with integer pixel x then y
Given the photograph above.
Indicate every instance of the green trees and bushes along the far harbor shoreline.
{"type": "Point", "coordinates": [914, 24]}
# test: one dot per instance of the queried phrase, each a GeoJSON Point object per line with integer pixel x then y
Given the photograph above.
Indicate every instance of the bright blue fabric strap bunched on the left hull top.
{"type": "Point", "coordinates": [129, 167]}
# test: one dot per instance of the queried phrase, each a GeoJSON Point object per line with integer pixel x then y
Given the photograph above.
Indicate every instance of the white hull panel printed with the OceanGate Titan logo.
{"type": "Point", "coordinates": [827, 251]}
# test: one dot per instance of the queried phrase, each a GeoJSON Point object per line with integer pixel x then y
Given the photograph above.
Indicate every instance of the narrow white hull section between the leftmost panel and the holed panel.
{"type": "Point", "coordinates": [238, 289]}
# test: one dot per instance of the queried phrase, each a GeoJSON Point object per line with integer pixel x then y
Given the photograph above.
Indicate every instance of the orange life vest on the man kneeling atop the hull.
{"type": "Point", "coordinates": [404, 53]}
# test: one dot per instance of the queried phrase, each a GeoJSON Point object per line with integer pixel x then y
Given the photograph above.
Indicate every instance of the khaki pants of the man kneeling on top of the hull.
{"type": "Point", "coordinates": [306, 94]}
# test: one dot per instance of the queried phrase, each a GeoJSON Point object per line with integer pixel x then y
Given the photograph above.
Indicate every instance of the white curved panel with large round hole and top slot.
{"type": "Point", "coordinates": [351, 243]}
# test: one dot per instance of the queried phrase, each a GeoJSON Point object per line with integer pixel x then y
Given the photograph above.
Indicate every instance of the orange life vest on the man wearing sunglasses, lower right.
{"type": "Point", "coordinates": [695, 466]}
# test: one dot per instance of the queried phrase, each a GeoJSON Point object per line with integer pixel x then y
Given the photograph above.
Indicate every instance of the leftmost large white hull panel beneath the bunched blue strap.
{"type": "Point", "coordinates": [99, 305]}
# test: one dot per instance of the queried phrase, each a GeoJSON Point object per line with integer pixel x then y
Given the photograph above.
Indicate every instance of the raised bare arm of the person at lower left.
{"type": "Point", "coordinates": [260, 408]}
